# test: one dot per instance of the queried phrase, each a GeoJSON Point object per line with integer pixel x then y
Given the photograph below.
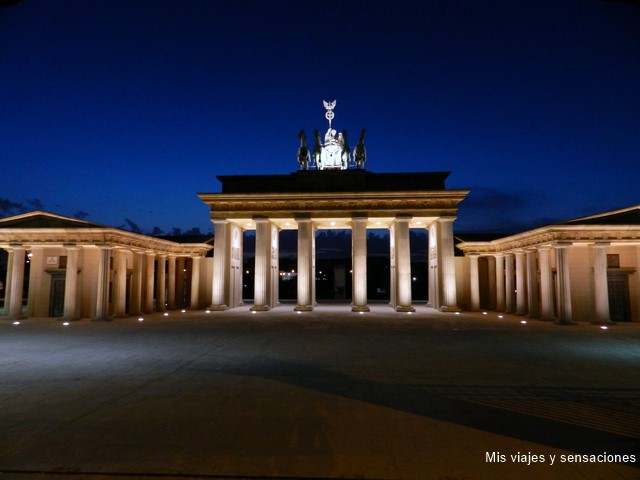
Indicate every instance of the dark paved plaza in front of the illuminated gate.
{"type": "Point", "coordinates": [323, 394]}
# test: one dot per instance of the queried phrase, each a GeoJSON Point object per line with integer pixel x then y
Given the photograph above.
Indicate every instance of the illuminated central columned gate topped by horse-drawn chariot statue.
{"type": "Point", "coordinates": [332, 190]}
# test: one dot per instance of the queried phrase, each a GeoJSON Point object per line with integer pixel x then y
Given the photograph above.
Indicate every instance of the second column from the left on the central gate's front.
{"type": "Point", "coordinates": [263, 280]}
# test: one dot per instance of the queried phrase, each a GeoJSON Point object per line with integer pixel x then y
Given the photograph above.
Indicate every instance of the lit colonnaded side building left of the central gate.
{"type": "Point", "coordinates": [74, 269]}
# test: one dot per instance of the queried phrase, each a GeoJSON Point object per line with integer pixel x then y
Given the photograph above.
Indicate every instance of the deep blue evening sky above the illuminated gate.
{"type": "Point", "coordinates": [116, 110]}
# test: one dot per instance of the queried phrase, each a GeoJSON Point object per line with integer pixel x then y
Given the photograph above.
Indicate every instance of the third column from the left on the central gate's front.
{"type": "Point", "coordinates": [306, 265]}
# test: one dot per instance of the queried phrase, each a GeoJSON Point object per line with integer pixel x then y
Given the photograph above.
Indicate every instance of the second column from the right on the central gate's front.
{"type": "Point", "coordinates": [402, 254]}
